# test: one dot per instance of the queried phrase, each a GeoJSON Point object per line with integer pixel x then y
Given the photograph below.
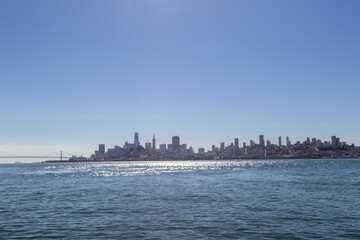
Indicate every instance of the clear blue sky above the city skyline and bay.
{"type": "Point", "coordinates": [76, 73]}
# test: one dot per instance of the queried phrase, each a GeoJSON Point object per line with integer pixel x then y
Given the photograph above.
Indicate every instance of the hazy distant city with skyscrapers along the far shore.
{"type": "Point", "coordinates": [310, 148]}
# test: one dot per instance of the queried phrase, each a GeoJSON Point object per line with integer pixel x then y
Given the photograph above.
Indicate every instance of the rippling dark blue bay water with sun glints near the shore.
{"type": "Point", "coordinates": [259, 199]}
